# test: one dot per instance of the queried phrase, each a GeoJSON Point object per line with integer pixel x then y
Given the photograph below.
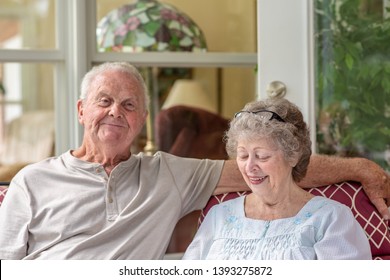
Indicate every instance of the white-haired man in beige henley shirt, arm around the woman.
{"type": "Point", "coordinates": [100, 201]}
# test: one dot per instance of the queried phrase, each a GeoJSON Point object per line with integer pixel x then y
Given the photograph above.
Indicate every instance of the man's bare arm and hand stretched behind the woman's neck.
{"type": "Point", "coordinates": [324, 170]}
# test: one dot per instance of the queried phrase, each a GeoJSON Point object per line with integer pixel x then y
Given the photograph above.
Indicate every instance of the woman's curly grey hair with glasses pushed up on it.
{"type": "Point", "coordinates": [290, 132]}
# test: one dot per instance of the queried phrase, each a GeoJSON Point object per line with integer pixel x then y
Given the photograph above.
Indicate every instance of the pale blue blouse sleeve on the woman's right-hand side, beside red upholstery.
{"type": "Point", "coordinates": [342, 237]}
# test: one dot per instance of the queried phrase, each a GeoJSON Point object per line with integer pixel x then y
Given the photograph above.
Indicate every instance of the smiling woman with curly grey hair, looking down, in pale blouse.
{"type": "Point", "coordinates": [278, 220]}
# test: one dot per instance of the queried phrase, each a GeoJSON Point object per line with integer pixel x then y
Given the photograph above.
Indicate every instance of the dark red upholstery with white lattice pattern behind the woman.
{"type": "Point", "coordinates": [350, 194]}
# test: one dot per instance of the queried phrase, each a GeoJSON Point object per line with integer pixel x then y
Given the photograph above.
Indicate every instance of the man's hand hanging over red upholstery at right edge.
{"type": "Point", "coordinates": [376, 184]}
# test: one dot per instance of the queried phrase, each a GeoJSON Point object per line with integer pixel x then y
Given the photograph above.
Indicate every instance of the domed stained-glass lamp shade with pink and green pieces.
{"type": "Point", "coordinates": [148, 25]}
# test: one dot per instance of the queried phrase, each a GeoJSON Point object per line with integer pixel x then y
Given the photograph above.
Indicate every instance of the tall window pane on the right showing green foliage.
{"type": "Point", "coordinates": [352, 78]}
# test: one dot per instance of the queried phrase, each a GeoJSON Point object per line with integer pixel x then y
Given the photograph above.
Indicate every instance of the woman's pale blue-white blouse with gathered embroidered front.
{"type": "Point", "coordinates": [322, 229]}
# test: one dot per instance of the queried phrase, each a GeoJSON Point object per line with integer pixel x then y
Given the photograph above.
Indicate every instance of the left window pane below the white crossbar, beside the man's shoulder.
{"type": "Point", "coordinates": [26, 113]}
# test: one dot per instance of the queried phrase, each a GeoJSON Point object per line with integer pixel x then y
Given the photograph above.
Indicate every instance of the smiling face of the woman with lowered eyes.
{"type": "Point", "coordinates": [263, 166]}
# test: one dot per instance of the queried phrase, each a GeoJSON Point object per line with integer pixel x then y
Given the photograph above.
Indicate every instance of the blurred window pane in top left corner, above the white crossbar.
{"type": "Point", "coordinates": [27, 24]}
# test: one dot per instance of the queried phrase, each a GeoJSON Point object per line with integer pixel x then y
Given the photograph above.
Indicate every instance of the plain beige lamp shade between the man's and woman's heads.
{"type": "Point", "coordinates": [190, 93]}
